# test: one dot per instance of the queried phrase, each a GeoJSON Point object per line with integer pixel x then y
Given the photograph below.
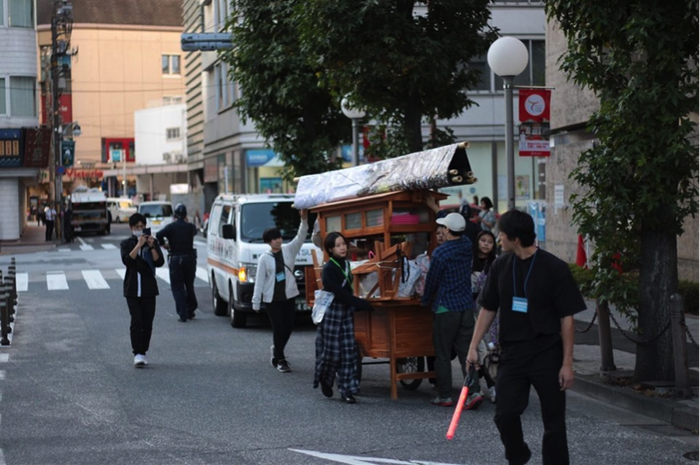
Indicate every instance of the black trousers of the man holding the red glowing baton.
{"type": "Point", "coordinates": [515, 376]}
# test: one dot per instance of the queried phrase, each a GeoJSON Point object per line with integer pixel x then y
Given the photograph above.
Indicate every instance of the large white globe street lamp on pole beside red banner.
{"type": "Point", "coordinates": [507, 58]}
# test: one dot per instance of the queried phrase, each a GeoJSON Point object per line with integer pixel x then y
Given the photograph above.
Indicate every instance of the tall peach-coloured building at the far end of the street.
{"type": "Point", "coordinates": [122, 56]}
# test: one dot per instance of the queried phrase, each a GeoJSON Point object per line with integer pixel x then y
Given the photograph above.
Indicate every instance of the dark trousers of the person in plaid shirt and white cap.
{"type": "Point", "coordinates": [452, 331]}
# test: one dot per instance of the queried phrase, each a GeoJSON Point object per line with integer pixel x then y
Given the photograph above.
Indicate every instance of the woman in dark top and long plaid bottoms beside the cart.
{"type": "Point", "coordinates": [336, 352]}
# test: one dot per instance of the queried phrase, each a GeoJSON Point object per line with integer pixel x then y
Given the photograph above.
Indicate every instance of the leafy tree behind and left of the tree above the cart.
{"type": "Point", "coordinates": [280, 90]}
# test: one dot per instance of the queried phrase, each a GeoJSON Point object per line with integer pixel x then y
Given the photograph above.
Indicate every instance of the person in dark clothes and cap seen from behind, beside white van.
{"type": "Point", "coordinates": [182, 262]}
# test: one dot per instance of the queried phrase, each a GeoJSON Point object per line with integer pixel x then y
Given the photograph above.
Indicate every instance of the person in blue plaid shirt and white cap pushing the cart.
{"type": "Point", "coordinates": [448, 290]}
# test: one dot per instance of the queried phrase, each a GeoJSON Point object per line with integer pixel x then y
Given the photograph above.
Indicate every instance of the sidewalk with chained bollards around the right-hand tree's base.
{"type": "Point", "coordinates": [657, 403]}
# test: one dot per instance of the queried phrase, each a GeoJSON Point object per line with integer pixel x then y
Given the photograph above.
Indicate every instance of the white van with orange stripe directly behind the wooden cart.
{"type": "Point", "coordinates": [234, 243]}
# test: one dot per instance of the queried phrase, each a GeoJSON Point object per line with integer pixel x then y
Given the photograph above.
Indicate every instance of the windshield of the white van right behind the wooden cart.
{"type": "Point", "coordinates": [257, 217]}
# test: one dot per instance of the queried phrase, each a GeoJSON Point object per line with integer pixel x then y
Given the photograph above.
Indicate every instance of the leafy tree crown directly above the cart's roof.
{"type": "Point", "coordinates": [400, 66]}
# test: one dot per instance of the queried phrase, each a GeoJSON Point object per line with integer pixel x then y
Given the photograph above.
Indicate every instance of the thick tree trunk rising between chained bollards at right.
{"type": "Point", "coordinates": [658, 279]}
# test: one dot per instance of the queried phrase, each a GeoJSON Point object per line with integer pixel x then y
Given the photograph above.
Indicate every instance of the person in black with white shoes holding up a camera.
{"type": "Point", "coordinates": [141, 255]}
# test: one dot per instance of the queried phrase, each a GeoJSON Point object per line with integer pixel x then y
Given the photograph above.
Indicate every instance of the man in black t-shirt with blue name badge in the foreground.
{"type": "Point", "coordinates": [537, 297]}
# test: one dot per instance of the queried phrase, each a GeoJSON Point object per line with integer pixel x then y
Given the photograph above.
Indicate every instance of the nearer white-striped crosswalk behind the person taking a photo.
{"type": "Point", "coordinates": [92, 279]}
